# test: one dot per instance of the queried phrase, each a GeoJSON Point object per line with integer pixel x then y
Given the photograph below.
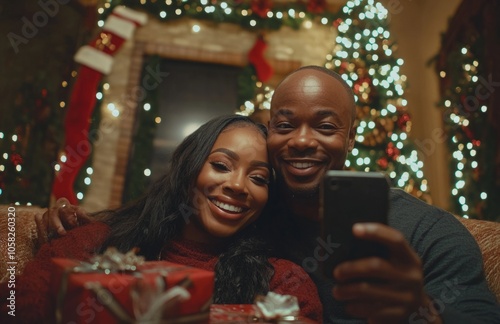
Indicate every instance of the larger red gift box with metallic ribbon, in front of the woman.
{"type": "Point", "coordinates": [85, 296]}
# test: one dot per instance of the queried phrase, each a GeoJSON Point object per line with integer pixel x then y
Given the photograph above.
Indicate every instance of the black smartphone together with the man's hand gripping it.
{"type": "Point", "coordinates": [378, 275]}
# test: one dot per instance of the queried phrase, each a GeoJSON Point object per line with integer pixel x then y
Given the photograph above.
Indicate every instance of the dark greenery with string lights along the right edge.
{"type": "Point", "coordinates": [472, 140]}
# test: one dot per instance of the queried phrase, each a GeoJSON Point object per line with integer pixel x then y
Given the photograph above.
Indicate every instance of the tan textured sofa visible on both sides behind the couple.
{"type": "Point", "coordinates": [486, 233]}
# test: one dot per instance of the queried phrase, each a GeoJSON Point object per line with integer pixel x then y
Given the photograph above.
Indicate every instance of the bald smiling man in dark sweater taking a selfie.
{"type": "Point", "coordinates": [434, 272]}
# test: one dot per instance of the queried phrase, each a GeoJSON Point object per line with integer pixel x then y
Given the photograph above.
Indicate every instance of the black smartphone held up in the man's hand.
{"type": "Point", "coordinates": [346, 198]}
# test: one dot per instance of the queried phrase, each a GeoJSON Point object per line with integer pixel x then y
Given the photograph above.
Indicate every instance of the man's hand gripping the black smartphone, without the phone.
{"type": "Point", "coordinates": [383, 290]}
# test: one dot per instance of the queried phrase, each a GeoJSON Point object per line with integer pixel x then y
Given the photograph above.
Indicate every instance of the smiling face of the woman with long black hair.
{"type": "Point", "coordinates": [232, 187]}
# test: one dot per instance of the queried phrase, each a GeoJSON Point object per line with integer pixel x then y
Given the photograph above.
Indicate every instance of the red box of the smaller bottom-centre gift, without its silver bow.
{"type": "Point", "coordinates": [246, 313]}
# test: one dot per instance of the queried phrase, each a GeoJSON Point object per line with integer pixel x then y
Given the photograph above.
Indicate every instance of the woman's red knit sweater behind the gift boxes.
{"type": "Point", "coordinates": [32, 288]}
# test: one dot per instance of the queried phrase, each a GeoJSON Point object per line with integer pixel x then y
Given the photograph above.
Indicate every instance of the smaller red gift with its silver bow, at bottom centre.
{"type": "Point", "coordinates": [273, 308]}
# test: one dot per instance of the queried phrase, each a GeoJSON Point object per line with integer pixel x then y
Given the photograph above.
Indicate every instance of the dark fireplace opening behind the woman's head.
{"type": "Point", "coordinates": [189, 94]}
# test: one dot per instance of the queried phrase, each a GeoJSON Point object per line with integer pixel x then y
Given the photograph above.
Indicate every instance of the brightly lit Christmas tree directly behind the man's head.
{"type": "Point", "coordinates": [365, 57]}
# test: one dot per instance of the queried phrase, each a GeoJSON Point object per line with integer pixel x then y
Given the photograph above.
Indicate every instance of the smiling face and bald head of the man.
{"type": "Point", "coordinates": [311, 129]}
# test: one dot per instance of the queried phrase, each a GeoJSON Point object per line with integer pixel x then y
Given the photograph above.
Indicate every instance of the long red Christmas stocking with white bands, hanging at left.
{"type": "Point", "coordinates": [96, 60]}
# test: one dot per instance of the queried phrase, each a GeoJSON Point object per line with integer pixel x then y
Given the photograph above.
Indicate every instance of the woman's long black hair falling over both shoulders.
{"type": "Point", "coordinates": [243, 270]}
